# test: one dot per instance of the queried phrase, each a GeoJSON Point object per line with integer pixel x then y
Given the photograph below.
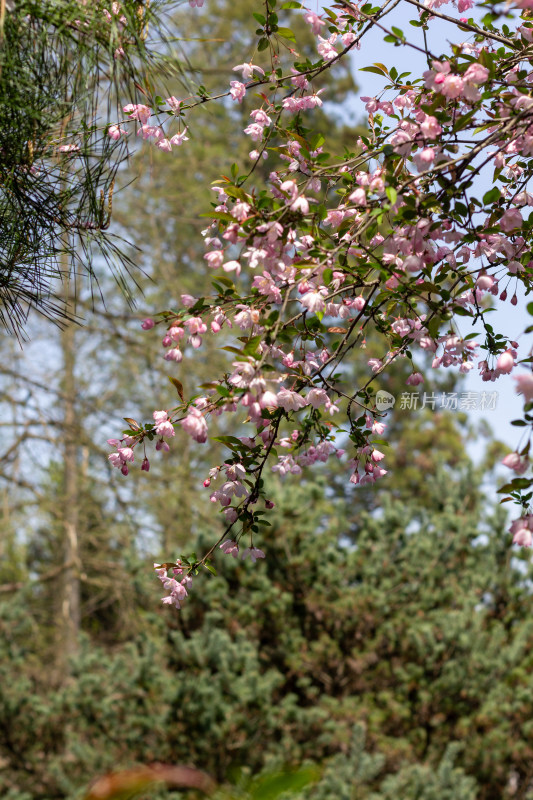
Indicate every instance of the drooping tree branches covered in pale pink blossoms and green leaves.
{"type": "Point", "coordinates": [394, 236]}
